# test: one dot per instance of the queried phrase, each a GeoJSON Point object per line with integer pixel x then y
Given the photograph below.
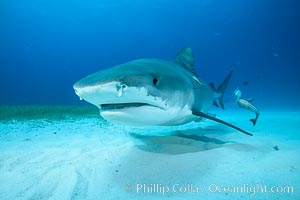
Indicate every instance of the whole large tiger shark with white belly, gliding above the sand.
{"type": "Point", "coordinates": [153, 92]}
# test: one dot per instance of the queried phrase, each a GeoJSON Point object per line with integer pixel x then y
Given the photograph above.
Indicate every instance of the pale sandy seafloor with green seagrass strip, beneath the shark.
{"type": "Point", "coordinates": [50, 155]}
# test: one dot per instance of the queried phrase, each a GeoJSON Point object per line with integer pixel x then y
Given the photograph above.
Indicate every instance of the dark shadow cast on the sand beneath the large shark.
{"type": "Point", "coordinates": [181, 142]}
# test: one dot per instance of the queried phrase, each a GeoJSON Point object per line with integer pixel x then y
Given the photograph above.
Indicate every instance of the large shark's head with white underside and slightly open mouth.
{"type": "Point", "coordinates": [141, 92]}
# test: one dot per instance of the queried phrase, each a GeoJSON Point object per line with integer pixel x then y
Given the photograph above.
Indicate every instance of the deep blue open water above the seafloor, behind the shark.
{"type": "Point", "coordinates": [46, 46]}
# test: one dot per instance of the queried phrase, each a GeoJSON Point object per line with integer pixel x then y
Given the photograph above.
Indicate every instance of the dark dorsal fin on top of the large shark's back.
{"type": "Point", "coordinates": [185, 58]}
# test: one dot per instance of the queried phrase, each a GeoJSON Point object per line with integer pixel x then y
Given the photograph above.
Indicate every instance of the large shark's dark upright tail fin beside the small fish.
{"type": "Point", "coordinates": [218, 101]}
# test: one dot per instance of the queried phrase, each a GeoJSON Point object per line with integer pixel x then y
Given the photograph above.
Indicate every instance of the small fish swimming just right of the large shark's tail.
{"type": "Point", "coordinates": [246, 104]}
